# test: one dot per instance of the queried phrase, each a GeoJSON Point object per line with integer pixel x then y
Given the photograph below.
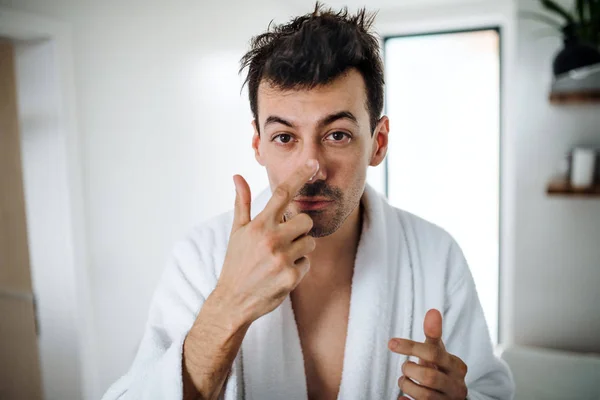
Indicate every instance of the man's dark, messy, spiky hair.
{"type": "Point", "coordinates": [314, 49]}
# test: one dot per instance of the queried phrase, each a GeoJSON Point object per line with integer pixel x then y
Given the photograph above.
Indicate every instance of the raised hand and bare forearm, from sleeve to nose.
{"type": "Point", "coordinates": [265, 260]}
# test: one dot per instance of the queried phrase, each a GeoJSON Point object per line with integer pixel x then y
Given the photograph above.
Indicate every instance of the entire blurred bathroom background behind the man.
{"type": "Point", "coordinates": [122, 123]}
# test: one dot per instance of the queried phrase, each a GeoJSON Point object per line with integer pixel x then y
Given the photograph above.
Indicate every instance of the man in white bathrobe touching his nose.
{"type": "Point", "coordinates": [324, 290]}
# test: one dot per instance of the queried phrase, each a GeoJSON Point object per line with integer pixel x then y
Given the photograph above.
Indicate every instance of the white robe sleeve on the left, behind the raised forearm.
{"type": "Point", "coordinates": [156, 372]}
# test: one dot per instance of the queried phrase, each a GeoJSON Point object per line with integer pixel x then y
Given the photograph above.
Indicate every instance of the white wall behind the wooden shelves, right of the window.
{"type": "Point", "coordinates": [557, 241]}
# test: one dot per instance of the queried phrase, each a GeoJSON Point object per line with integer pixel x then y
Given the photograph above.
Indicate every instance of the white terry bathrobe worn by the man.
{"type": "Point", "coordinates": [404, 266]}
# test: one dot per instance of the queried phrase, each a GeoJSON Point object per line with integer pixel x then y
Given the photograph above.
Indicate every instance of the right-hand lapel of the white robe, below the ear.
{"type": "Point", "coordinates": [381, 304]}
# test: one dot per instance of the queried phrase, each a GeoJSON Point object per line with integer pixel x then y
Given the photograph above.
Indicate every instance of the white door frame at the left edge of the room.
{"type": "Point", "coordinates": [71, 258]}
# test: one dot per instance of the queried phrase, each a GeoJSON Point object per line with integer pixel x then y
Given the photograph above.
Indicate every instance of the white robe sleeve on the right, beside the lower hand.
{"type": "Point", "coordinates": [466, 335]}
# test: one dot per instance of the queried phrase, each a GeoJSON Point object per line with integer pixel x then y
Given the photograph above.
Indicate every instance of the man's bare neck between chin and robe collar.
{"type": "Point", "coordinates": [333, 258]}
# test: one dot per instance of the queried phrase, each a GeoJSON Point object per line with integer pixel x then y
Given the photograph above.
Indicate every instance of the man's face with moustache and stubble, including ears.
{"type": "Point", "coordinates": [330, 124]}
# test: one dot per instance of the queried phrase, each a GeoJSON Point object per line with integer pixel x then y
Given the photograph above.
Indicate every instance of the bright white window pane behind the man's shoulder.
{"type": "Point", "coordinates": [443, 100]}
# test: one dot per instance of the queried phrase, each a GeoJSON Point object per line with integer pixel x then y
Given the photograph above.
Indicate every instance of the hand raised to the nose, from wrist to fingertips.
{"type": "Point", "coordinates": [266, 258]}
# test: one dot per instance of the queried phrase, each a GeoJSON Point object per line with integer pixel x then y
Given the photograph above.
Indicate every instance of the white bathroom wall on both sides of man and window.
{"type": "Point", "coordinates": [163, 128]}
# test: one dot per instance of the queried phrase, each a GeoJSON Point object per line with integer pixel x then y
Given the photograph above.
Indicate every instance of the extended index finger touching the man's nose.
{"type": "Point", "coordinates": [284, 193]}
